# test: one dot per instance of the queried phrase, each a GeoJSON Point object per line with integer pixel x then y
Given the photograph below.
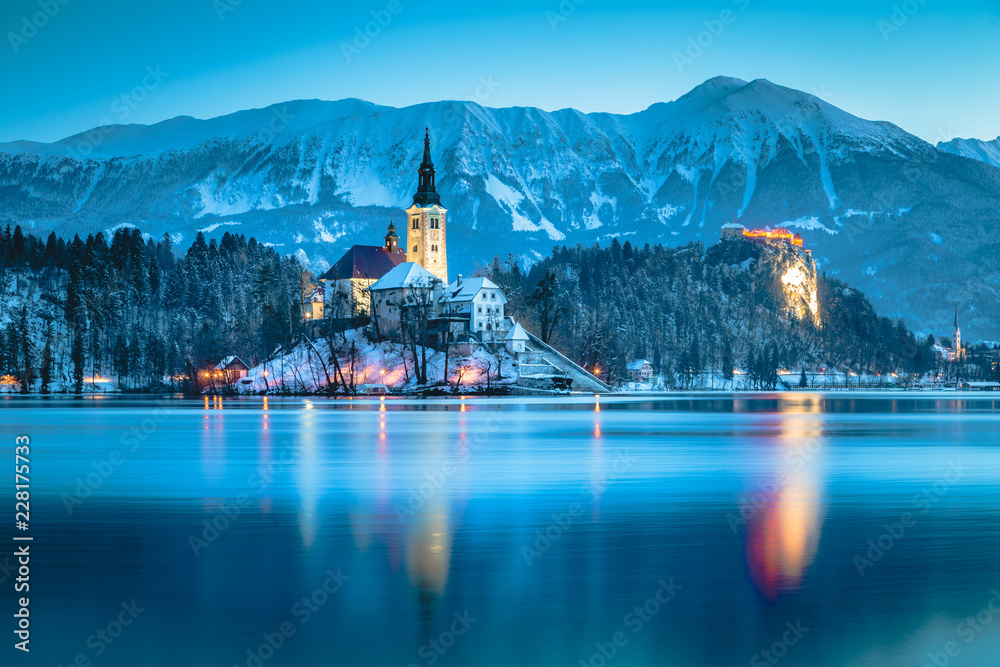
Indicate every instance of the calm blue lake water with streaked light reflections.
{"type": "Point", "coordinates": [796, 529]}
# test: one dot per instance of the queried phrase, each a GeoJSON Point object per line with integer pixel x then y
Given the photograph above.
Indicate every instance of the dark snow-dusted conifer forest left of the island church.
{"type": "Point", "coordinates": [131, 308]}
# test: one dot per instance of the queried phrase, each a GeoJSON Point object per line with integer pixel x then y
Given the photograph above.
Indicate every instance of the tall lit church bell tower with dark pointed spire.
{"type": "Point", "coordinates": [426, 221]}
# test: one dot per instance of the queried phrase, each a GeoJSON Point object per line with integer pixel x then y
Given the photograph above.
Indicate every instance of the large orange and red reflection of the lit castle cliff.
{"type": "Point", "coordinates": [784, 508]}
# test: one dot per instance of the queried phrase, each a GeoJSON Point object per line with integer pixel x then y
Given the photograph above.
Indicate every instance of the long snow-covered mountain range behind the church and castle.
{"type": "Point", "coordinates": [913, 226]}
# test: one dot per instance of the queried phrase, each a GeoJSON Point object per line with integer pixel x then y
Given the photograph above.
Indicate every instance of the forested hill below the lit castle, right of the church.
{"type": "Point", "coordinates": [688, 310]}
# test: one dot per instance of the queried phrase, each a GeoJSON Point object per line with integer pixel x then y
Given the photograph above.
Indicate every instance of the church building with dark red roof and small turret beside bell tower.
{"type": "Point", "coordinates": [348, 280]}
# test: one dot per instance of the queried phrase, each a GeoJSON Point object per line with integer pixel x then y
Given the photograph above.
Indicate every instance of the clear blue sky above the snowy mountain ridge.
{"type": "Point", "coordinates": [931, 67]}
